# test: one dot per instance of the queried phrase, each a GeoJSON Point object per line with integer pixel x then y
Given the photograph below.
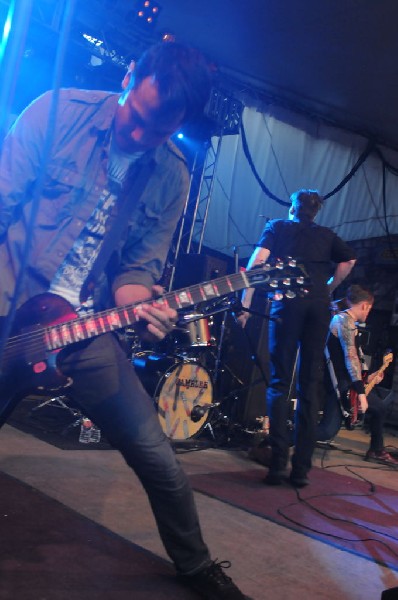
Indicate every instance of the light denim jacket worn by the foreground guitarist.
{"type": "Point", "coordinates": [74, 176]}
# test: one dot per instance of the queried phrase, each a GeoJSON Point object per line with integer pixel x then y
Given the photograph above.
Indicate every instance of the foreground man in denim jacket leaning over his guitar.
{"type": "Point", "coordinates": [91, 190]}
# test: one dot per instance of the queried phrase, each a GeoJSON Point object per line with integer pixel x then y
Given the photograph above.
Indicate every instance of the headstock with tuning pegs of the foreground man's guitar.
{"type": "Point", "coordinates": [283, 278]}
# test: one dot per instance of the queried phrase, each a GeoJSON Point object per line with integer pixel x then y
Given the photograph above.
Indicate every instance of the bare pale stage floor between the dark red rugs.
{"type": "Point", "coordinates": [269, 561]}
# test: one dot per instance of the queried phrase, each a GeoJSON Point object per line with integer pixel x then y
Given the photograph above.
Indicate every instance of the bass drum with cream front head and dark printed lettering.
{"type": "Point", "coordinates": [176, 387]}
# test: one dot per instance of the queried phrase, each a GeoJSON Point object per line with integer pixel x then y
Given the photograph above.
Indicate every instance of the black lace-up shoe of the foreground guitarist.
{"type": "Point", "coordinates": [212, 583]}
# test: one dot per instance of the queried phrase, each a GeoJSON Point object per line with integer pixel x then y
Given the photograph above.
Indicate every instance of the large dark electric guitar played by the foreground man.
{"type": "Point", "coordinates": [47, 323]}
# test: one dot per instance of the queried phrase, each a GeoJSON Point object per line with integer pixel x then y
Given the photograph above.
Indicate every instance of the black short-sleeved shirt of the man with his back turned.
{"type": "Point", "coordinates": [312, 245]}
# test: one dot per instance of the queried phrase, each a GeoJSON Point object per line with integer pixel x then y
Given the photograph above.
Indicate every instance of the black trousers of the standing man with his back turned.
{"type": "Point", "coordinates": [301, 323]}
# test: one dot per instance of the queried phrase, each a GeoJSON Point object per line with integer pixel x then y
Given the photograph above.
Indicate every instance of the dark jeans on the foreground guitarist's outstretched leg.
{"type": "Point", "coordinates": [108, 391]}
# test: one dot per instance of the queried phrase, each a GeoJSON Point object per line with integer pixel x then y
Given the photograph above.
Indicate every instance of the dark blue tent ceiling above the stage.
{"type": "Point", "coordinates": [333, 59]}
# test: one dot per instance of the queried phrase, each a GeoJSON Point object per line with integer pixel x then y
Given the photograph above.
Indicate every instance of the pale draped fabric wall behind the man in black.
{"type": "Point", "coordinates": [291, 151]}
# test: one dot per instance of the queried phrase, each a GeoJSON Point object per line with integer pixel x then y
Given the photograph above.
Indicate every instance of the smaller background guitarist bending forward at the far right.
{"type": "Point", "coordinates": [344, 376]}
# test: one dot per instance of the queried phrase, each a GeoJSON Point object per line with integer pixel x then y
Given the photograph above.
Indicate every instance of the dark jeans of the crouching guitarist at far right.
{"type": "Point", "coordinates": [331, 420]}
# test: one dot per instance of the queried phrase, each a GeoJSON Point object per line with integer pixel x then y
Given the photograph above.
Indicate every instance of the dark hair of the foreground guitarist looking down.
{"type": "Point", "coordinates": [183, 76]}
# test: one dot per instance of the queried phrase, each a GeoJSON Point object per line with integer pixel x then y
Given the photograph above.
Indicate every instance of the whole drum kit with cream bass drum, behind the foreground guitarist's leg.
{"type": "Point", "coordinates": [181, 376]}
